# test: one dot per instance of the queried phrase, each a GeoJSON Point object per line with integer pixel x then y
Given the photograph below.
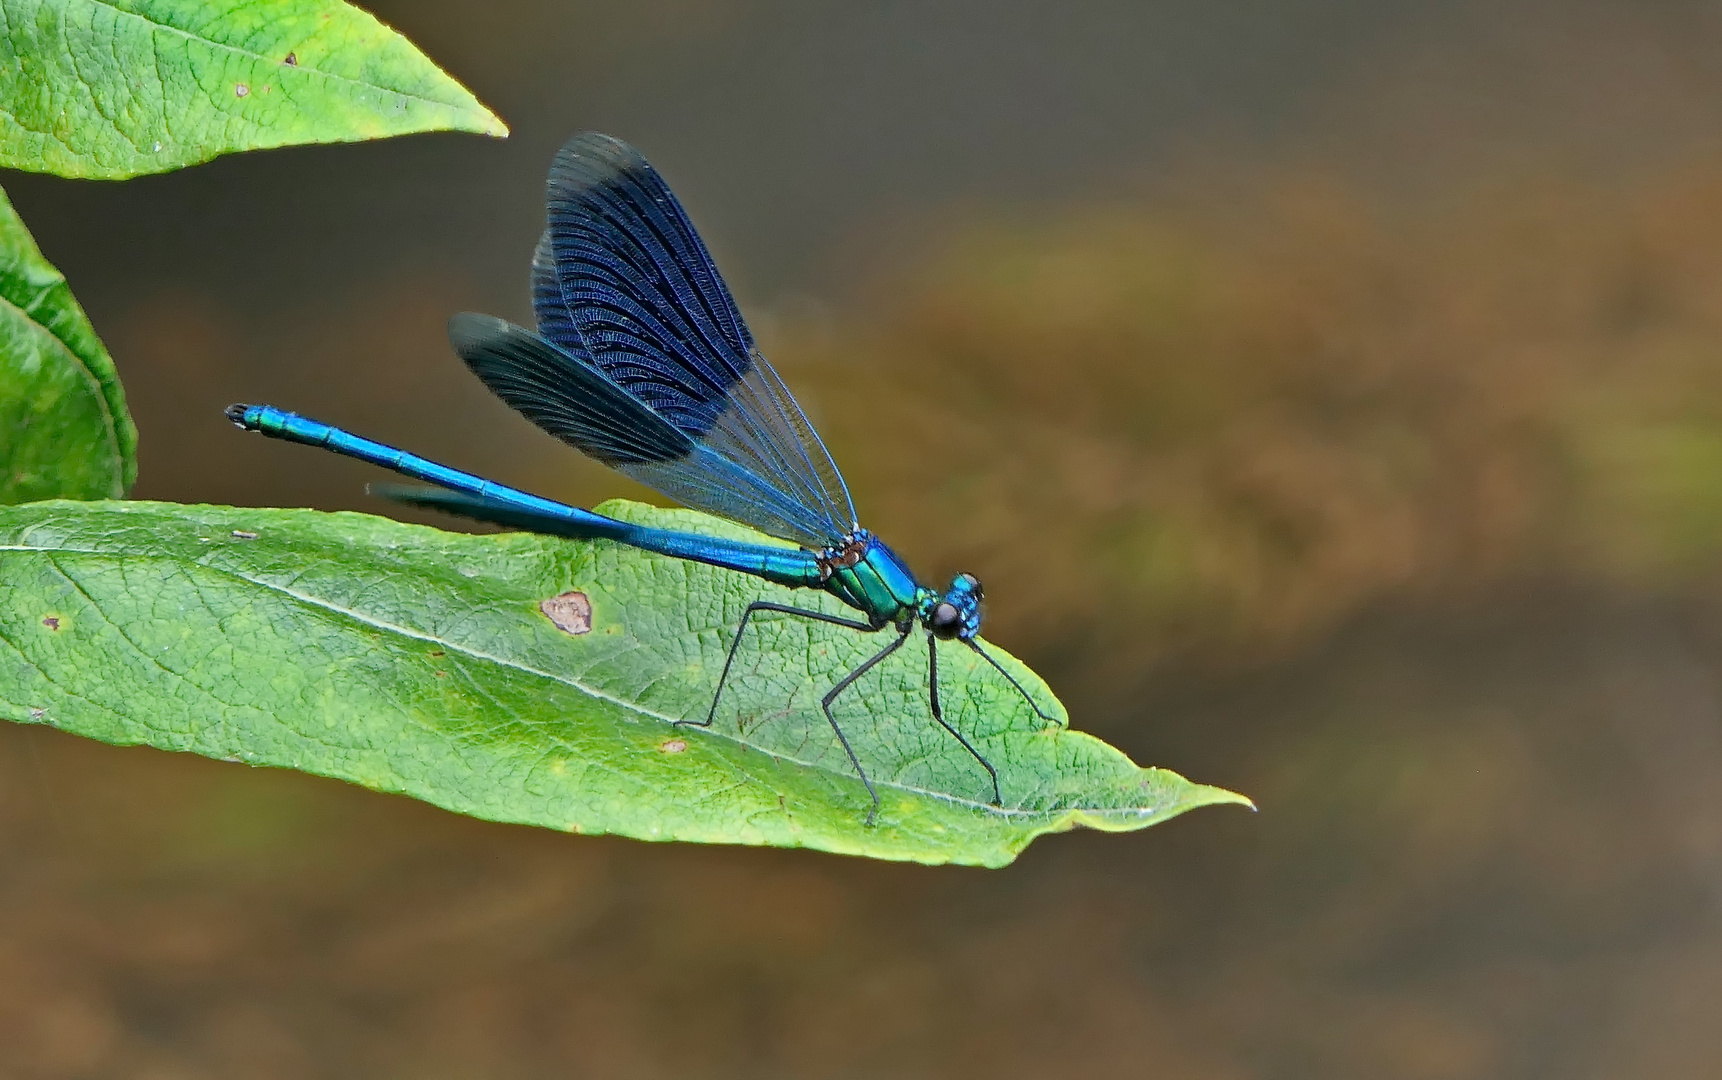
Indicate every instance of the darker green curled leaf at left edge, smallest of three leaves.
{"type": "Point", "coordinates": [65, 431]}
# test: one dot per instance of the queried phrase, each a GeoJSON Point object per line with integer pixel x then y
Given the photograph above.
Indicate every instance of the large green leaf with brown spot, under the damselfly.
{"type": "Point", "coordinates": [423, 662]}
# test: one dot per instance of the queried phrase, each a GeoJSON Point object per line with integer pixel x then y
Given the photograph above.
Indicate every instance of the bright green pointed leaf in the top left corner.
{"type": "Point", "coordinates": [115, 89]}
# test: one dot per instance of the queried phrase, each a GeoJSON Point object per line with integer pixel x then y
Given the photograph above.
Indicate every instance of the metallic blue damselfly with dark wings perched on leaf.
{"type": "Point", "coordinates": [643, 363]}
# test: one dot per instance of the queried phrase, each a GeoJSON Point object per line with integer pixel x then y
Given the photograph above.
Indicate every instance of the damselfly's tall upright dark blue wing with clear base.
{"type": "Point", "coordinates": [623, 283]}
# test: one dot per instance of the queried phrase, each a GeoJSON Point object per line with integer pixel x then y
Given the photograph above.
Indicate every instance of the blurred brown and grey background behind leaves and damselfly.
{"type": "Point", "coordinates": [1330, 394]}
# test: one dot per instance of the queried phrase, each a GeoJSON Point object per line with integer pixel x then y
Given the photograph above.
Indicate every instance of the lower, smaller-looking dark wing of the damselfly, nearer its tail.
{"type": "Point", "coordinates": [578, 404]}
